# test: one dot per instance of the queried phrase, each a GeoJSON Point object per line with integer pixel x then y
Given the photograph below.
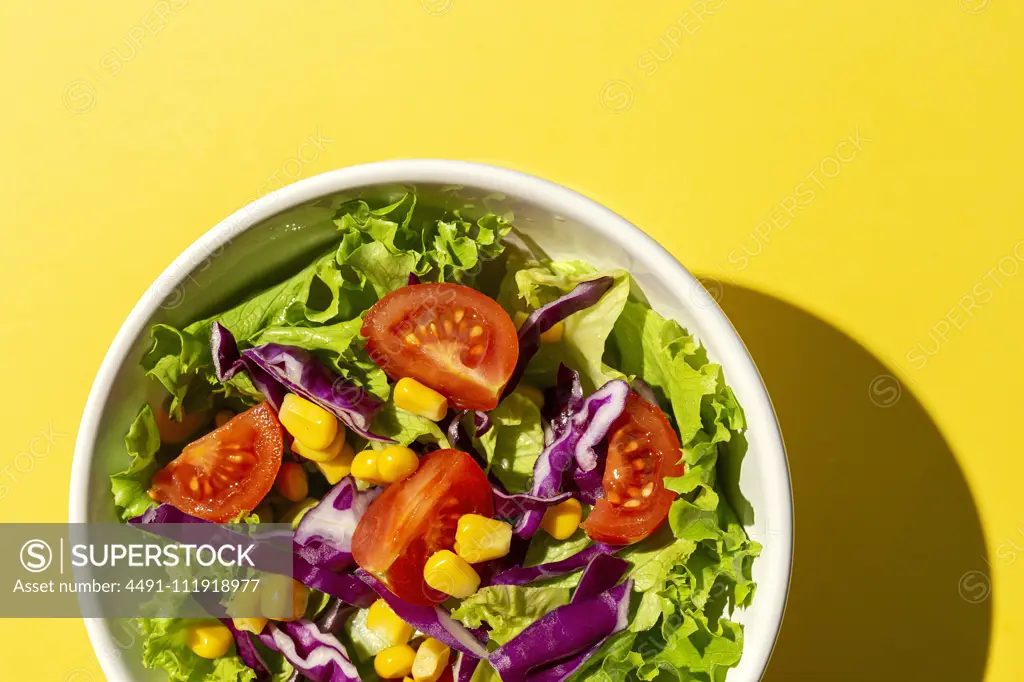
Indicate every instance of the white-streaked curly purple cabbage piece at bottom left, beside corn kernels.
{"type": "Point", "coordinates": [319, 656]}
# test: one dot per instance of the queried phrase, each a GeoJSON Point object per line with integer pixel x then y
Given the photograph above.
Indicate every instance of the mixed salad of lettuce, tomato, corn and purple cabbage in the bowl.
{"type": "Point", "coordinates": [499, 465]}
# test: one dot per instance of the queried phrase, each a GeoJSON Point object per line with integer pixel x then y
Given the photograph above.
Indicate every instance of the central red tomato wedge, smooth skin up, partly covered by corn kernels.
{"type": "Point", "coordinates": [418, 517]}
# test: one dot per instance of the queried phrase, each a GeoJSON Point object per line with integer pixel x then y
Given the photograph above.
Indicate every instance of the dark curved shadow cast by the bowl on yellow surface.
{"type": "Point", "coordinates": [890, 579]}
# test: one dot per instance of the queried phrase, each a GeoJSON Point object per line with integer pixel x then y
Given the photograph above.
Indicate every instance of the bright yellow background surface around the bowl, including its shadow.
{"type": "Point", "coordinates": [130, 129]}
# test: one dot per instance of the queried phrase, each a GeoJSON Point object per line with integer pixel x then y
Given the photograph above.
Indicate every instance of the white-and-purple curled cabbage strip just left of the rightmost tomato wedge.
{"type": "Point", "coordinates": [576, 445]}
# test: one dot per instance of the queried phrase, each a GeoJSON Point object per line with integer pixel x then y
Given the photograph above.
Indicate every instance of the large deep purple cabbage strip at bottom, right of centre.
{"type": "Point", "coordinates": [581, 626]}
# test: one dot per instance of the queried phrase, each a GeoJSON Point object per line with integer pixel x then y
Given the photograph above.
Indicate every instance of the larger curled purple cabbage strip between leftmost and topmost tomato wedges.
{"type": "Point", "coordinates": [303, 374]}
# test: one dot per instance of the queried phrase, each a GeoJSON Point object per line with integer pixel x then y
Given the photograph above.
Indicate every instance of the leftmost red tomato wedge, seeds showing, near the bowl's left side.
{"type": "Point", "coordinates": [228, 472]}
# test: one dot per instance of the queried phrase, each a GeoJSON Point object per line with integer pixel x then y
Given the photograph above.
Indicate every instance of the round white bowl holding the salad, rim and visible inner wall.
{"type": "Point", "coordinates": [272, 231]}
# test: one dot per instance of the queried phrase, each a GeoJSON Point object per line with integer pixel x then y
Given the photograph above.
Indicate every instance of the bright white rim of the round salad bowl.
{"type": "Point", "coordinates": [562, 201]}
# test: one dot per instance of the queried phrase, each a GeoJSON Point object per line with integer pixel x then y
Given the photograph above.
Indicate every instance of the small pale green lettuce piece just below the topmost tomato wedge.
{"type": "Point", "coordinates": [515, 442]}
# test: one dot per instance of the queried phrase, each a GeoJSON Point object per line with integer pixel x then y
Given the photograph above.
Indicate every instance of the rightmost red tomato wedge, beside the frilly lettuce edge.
{"type": "Point", "coordinates": [643, 450]}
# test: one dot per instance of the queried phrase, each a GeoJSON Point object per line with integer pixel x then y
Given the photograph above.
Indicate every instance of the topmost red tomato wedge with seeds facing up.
{"type": "Point", "coordinates": [447, 336]}
